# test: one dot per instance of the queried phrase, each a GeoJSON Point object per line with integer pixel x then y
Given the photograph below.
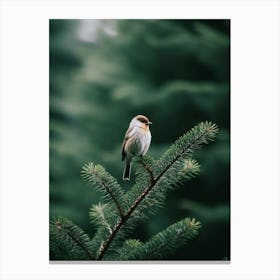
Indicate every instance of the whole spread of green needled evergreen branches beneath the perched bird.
{"type": "Point", "coordinates": [118, 211]}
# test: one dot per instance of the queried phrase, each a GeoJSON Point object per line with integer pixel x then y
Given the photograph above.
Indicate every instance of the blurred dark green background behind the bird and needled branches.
{"type": "Point", "coordinates": [177, 72]}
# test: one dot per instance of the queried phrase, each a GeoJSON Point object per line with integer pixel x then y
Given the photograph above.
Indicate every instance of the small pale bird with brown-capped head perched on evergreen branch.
{"type": "Point", "coordinates": [136, 142]}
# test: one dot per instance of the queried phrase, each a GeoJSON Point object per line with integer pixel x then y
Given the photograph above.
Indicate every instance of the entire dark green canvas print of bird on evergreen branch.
{"type": "Point", "coordinates": [139, 141]}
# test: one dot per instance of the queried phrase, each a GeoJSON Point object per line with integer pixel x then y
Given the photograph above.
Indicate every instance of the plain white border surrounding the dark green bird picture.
{"type": "Point", "coordinates": [254, 138]}
